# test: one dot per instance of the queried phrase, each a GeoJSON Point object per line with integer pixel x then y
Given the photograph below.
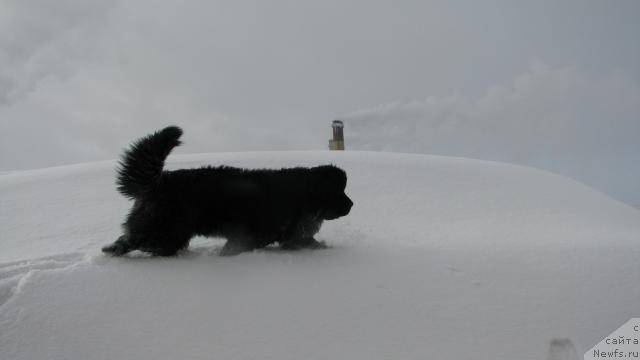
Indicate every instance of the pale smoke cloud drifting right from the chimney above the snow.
{"type": "Point", "coordinates": [555, 118]}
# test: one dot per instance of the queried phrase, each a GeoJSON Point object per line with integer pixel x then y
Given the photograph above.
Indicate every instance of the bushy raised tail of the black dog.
{"type": "Point", "coordinates": [141, 165]}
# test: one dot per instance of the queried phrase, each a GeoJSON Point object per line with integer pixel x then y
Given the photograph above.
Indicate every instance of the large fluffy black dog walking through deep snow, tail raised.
{"type": "Point", "coordinates": [250, 208]}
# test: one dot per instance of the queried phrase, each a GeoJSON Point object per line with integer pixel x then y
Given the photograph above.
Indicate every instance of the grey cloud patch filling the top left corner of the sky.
{"type": "Point", "coordinates": [42, 38]}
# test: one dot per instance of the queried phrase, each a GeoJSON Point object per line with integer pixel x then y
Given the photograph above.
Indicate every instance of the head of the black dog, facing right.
{"type": "Point", "coordinates": [327, 188]}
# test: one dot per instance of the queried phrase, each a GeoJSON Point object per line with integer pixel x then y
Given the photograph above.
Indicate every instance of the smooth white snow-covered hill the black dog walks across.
{"type": "Point", "coordinates": [441, 258]}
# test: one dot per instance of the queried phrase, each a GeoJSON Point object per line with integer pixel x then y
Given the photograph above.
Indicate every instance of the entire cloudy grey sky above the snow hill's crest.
{"type": "Point", "coordinates": [79, 79]}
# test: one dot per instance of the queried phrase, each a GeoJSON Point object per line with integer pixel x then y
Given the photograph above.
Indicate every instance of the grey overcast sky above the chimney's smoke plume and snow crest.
{"type": "Point", "coordinates": [80, 79]}
